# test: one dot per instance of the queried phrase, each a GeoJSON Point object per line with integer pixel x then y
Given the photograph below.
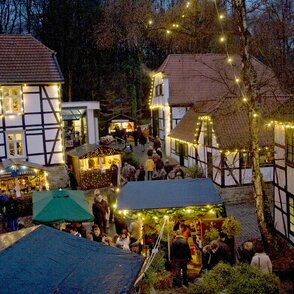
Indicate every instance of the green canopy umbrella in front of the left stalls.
{"type": "Point", "coordinates": [58, 206]}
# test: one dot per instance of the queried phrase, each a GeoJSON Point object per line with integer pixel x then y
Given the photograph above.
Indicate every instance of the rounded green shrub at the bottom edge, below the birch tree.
{"type": "Point", "coordinates": [241, 279]}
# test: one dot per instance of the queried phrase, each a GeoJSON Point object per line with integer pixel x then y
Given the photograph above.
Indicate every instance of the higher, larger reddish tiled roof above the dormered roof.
{"type": "Point", "coordinates": [198, 77]}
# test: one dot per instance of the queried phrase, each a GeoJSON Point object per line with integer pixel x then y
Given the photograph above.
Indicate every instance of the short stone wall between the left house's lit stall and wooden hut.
{"type": "Point", "coordinates": [57, 177]}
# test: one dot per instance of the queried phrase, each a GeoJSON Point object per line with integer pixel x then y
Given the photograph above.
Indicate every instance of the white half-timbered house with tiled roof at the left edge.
{"type": "Point", "coordinates": [30, 98]}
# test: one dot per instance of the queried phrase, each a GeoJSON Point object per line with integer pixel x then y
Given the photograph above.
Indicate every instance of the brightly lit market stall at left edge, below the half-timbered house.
{"type": "Point", "coordinates": [19, 177]}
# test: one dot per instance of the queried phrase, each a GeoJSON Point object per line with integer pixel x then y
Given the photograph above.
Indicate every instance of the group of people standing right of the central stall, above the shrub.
{"type": "Point", "coordinates": [220, 250]}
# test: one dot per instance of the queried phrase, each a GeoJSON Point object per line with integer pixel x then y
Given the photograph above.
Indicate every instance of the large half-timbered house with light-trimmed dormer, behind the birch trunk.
{"type": "Point", "coordinates": [199, 114]}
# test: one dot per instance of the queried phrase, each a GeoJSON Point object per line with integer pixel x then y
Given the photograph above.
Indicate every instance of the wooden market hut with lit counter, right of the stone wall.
{"type": "Point", "coordinates": [91, 163]}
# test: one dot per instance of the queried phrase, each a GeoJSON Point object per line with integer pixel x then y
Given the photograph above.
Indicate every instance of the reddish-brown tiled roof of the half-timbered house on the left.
{"type": "Point", "coordinates": [23, 59]}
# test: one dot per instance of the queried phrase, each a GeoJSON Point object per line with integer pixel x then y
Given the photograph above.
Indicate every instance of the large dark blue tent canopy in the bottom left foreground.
{"type": "Point", "coordinates": [49, 261]}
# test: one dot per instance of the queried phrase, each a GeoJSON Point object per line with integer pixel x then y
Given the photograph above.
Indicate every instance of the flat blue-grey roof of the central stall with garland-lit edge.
{"type": "Point", "coordinates": [168, 194]}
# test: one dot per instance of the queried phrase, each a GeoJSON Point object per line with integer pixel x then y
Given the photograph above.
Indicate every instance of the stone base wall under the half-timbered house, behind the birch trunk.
{"type": "Point", "coordinates": [241, 194]}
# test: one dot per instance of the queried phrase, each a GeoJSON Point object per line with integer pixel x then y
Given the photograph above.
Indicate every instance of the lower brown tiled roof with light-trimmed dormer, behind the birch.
{"type": "Point", "coordinates": [230, 123]}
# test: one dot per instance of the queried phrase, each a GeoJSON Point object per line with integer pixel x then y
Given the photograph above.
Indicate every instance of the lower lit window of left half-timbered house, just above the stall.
{"type": "Point", "coordinates": [15, 144]}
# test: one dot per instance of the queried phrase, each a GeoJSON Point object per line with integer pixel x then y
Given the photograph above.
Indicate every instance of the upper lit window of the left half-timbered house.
{"type": "Point", "coordinates": [9, 109]}
